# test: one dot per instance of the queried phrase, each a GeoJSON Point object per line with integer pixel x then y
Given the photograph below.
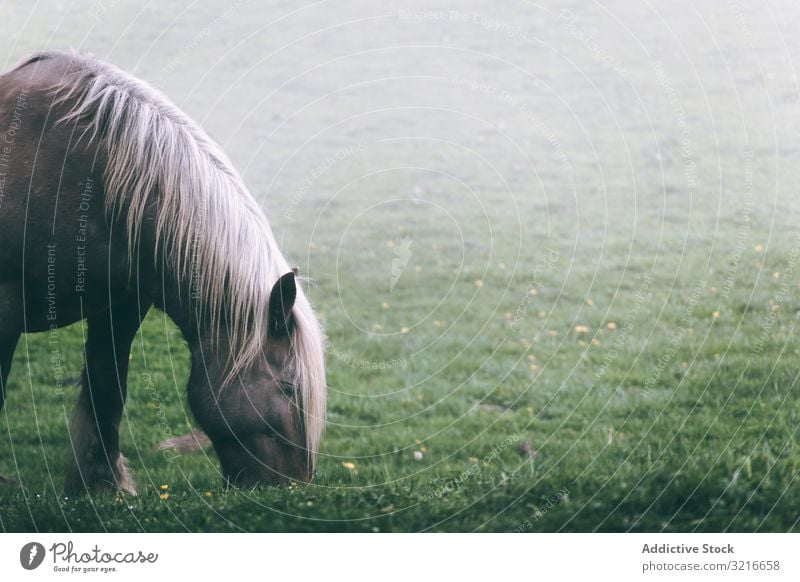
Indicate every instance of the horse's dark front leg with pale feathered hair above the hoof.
{"type": "Point", "coordinates": [96, 463]}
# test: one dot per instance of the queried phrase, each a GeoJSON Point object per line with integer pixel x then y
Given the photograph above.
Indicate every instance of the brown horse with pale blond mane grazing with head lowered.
{"type": "Point", "coordinates": [113, 201]}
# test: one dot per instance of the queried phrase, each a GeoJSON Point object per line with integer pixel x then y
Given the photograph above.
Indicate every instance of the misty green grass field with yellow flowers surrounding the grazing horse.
{"type": "Point", "coordinates": [558, 276]}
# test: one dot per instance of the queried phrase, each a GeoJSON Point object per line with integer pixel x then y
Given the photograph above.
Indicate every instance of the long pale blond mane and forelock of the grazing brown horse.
{"type": "Point", "coordinates": [209, 224]}
